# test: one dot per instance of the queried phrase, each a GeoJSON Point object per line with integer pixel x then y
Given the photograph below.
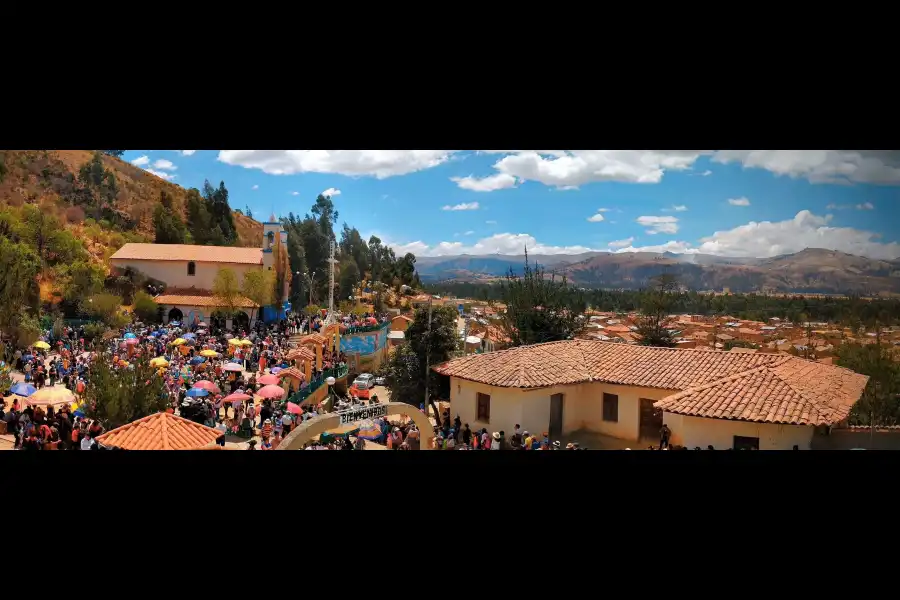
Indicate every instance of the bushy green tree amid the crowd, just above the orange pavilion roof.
{"type": "Point", "coordinates": [117, 396]}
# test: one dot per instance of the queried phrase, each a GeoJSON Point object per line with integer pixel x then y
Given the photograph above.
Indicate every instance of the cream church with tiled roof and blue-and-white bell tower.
{"type": "Point", "coordinates": [188, 271]}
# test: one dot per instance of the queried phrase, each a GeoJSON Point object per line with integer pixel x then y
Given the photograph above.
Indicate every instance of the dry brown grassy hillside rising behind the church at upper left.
{"type": "Point", "coordinates": [50, 179]}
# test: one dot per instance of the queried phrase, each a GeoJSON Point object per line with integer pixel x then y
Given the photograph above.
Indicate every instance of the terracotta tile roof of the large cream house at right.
{"type": "Point", "coordinates": [760, 387]}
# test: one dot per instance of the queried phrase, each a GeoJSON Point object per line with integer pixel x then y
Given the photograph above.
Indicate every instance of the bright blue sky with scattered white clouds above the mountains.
{"type": "Point", "coordinates": [738, 203]}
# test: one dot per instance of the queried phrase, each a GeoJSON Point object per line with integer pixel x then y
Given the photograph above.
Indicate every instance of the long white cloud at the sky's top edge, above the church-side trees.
{"type": "Point", "coordinates": [375, 163]}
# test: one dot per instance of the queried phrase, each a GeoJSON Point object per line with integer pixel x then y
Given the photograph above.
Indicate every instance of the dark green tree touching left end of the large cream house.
{"type": "Point", "coordinates": [427, 346]}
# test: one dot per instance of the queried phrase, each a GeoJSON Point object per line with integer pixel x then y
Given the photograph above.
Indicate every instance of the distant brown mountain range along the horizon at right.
{"type": "Point", "coordinates": [813, 270]}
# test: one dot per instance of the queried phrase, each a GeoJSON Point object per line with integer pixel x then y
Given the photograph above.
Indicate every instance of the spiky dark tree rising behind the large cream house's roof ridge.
{"type": "Point", "coordinates": [539, 309]}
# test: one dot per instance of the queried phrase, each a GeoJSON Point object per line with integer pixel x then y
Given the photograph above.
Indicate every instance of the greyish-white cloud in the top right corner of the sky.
{"type": "Point", "coordinates": [822, 166]}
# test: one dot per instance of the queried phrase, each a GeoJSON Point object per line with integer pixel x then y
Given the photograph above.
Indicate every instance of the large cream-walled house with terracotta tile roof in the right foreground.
{"type": "Point", "coordinates": [723, 399]}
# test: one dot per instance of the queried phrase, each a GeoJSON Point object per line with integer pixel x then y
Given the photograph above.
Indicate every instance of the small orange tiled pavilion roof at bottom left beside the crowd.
{"type": "Point", "coordinates": [162, 431]}
